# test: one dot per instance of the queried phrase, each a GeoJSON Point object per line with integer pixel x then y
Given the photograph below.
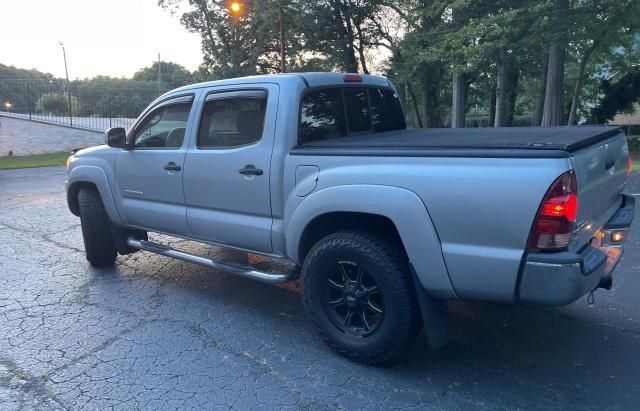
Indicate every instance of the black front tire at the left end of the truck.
{"type": "Point", "coordinates": [99, 247]}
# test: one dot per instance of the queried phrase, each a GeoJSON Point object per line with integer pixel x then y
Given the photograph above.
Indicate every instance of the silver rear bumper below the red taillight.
{"type": "Point", "coordinates": [563, 277]}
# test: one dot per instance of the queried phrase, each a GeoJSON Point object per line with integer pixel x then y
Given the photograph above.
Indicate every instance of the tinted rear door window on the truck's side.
{"type": "Point", "coordinates": [232, 122]}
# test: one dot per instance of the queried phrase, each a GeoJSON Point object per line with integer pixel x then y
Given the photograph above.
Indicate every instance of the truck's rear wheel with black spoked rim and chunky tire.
{"type": "Point", "coordinates": [359, 292]}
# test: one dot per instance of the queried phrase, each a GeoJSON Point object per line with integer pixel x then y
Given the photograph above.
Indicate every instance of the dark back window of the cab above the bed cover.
{"type": "Point", "coordinates": [337, 112]}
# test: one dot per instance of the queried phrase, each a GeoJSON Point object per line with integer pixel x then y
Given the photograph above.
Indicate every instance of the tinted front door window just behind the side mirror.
{"type": "Point", "coordinates": [164, 127]}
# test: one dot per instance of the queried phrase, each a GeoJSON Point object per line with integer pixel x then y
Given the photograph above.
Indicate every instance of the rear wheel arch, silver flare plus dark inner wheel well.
{"type": "Point", "coordinates": [396, 211]}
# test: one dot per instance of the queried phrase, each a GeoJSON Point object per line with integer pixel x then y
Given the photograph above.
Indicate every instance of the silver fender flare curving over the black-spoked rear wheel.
{"type": "Point", "coordinates": [403, 207]}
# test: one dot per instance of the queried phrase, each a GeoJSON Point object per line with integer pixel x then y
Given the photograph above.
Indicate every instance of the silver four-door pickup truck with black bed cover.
{"type": "Point", "coordinates": [384, 224]}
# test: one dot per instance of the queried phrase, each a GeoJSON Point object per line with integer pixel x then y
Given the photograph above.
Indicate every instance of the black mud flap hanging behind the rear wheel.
{"type": "Point", "coordinates": [435, 315]}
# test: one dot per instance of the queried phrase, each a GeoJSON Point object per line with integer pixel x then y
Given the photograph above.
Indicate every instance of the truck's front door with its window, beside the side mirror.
{"type": "Point", "coordinates": [149, 190]}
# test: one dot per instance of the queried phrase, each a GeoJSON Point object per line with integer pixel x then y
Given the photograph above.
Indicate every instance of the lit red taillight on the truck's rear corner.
{"type": "Point", "coordinates": [554, 224]}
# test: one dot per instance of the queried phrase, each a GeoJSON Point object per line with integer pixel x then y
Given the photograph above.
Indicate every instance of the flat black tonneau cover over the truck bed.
{"type": "Point", "coordinates": [516, 139]}
